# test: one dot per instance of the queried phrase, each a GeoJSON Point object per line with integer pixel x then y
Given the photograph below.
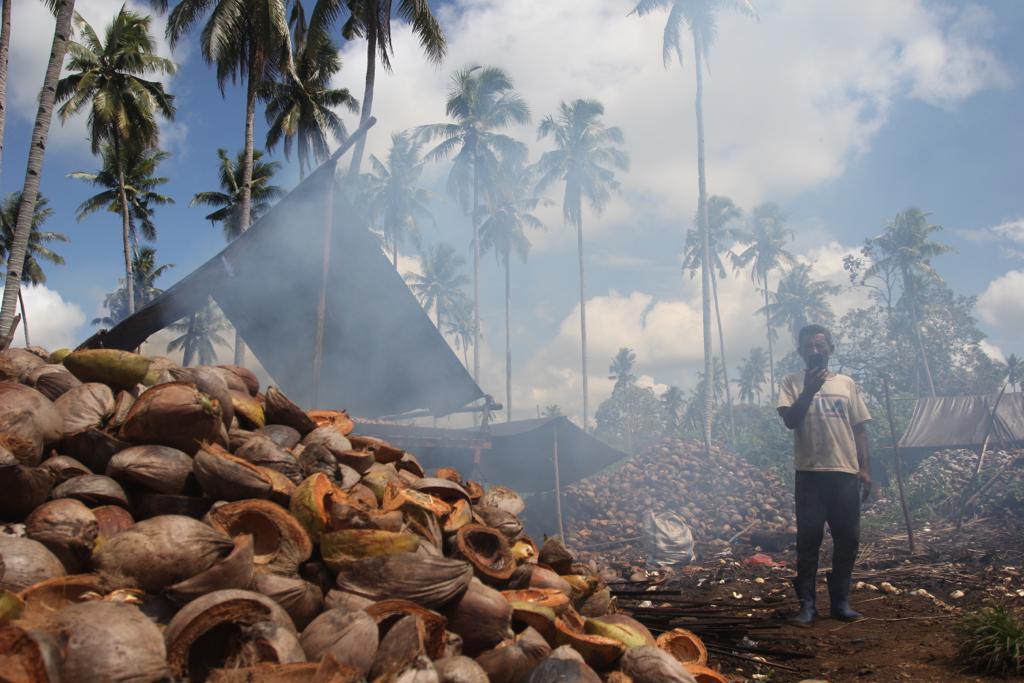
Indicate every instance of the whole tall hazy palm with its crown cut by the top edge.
{"type": "Point", "coordinates": [701, 18]}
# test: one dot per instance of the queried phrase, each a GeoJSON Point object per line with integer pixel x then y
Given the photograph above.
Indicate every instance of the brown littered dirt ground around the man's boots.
{"type": "Point", "coordinates": [909, 634]}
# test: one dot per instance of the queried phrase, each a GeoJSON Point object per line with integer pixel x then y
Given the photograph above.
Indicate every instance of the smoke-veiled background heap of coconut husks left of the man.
{"type": "Point", "coordinates": [721, 498]}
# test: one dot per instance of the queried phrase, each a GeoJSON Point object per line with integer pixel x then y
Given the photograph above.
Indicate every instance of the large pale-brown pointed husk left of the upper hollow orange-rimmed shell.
{"type": "Point", "coordinates": [162, 551]}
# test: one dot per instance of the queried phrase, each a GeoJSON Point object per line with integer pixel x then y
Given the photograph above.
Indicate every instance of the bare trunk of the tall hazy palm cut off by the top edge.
{"type": "Point", "coordinates": [705, 249]}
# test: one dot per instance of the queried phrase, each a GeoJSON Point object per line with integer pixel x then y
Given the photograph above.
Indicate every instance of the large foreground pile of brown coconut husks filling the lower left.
{"type": "Point", "coordinates": [167, 523]}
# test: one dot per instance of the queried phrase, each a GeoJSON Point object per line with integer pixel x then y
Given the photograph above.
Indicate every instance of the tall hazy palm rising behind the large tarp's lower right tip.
{"type": "Point", "coordinates": [482, 101]}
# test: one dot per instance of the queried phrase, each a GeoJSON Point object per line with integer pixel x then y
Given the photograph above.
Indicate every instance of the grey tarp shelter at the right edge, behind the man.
{"type": "Point", "coordinates": [964, 422]}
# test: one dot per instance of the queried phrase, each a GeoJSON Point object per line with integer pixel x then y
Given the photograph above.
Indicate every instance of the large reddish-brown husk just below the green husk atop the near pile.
{"type": "Point", "coordinates": [175, 414]}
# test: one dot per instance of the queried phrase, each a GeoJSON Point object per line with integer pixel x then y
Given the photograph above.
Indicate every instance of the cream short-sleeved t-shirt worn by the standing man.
{"type": "Point", "coordinates": [824, 443]}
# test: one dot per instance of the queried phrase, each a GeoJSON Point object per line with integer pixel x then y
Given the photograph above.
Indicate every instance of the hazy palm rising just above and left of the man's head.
{"type": "Point", "coordinates": [766, 238]}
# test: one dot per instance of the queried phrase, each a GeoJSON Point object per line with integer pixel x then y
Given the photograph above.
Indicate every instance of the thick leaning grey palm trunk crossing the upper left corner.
{"type": "Point", "coordinates": [37, 151]}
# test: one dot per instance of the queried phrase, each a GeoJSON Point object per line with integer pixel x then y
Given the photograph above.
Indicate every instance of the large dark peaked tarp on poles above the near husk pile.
{"type": "Point", "coordinates": [322, 308]}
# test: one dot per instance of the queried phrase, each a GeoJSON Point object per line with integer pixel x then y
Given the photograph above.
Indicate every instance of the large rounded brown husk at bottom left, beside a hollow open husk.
{"type": "Point", "coordinates": [109, 642]}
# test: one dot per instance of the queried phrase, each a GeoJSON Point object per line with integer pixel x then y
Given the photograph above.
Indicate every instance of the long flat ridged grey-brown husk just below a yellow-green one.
{"type": "Point", "coordinates": [432, 582]}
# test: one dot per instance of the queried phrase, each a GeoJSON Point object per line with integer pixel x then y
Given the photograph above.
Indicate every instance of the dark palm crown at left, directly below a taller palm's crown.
{"type": "Point", "coordinates": [138, 170]}
